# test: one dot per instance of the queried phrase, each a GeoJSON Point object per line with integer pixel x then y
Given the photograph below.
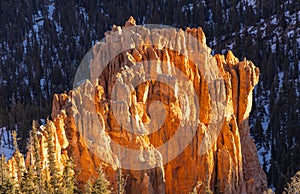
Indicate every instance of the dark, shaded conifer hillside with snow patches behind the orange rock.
{"type": "Point", "coordinates": [43, 42]}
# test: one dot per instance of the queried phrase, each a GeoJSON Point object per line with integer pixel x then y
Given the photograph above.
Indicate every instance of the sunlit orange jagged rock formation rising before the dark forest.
{"type": "Point", "coordinates": [132, 108]}
